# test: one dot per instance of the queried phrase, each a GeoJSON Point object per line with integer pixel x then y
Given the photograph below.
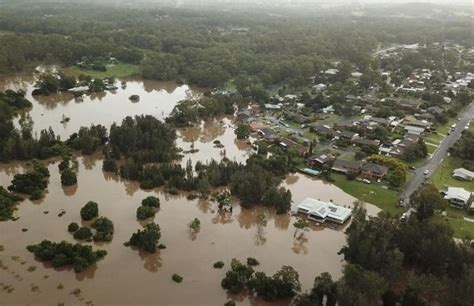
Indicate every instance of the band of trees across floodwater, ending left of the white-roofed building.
{"type": "Point", "coordinates": [254, 183]}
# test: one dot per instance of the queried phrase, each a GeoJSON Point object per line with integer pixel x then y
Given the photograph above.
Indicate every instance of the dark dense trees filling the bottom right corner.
{"type": "Point", "coordinates": [392, 262]}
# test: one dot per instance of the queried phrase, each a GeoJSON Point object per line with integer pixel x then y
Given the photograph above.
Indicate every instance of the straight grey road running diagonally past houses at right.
{"type": "Point", "coordinates": [438, 155]}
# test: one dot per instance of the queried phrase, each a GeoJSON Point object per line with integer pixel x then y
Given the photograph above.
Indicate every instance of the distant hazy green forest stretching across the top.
{"type": "Point", "coordinates": [200, 46]}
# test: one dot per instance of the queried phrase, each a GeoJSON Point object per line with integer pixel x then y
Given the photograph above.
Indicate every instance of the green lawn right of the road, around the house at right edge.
{"type": "Point", "coordinates": [442, 177]}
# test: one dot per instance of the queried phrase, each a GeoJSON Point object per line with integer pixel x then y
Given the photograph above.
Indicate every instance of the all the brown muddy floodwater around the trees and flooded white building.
{"type": "Point", "coordinates": [129, 277]}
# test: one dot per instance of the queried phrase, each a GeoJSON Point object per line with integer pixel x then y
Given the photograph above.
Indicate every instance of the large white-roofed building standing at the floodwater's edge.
{"type": "Point", "coordinates": [320, 211]}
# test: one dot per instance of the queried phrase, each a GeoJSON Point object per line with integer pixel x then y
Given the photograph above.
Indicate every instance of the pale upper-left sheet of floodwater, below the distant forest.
{"type": "Point", "coordinates": [157, 98]}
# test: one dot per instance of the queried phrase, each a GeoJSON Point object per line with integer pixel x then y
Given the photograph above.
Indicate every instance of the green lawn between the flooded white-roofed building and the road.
{"type": "Point", "coordinates": [385, 199]}
